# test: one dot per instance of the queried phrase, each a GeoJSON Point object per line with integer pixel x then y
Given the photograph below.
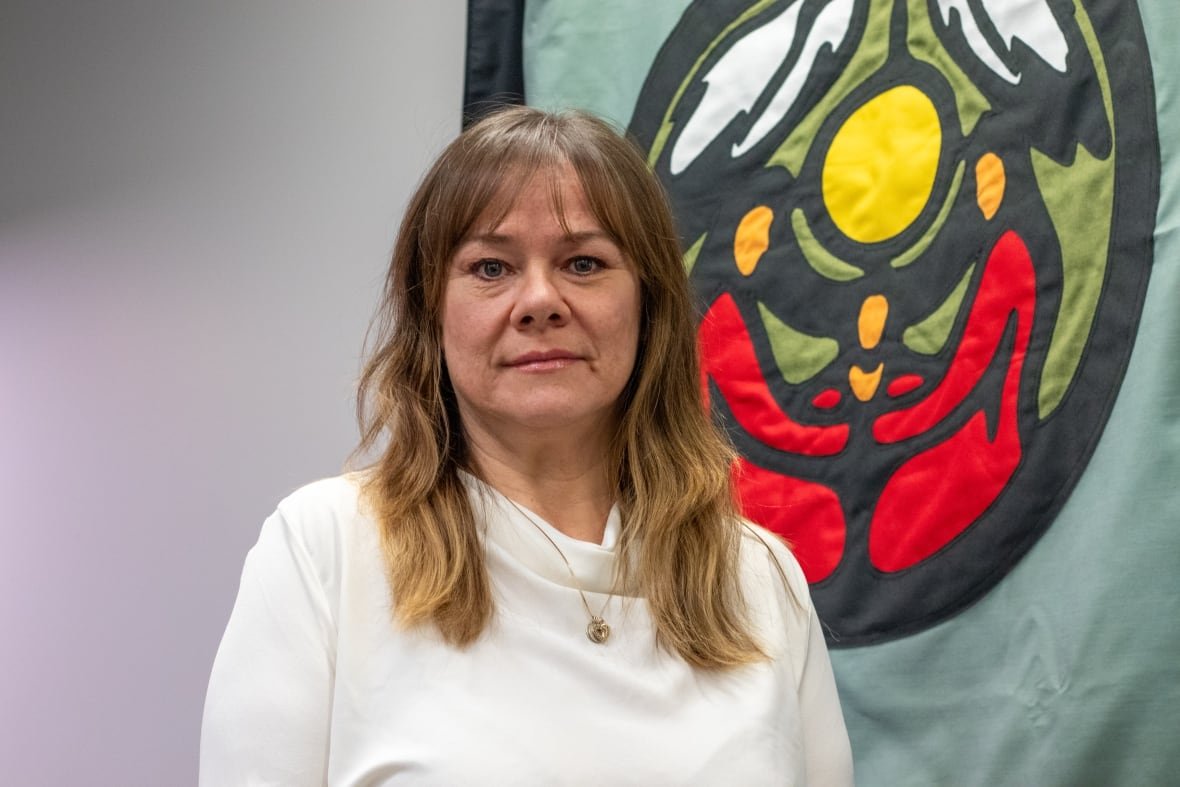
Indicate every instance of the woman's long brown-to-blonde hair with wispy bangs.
{"type": "Point", "coordinates": [681, 534]}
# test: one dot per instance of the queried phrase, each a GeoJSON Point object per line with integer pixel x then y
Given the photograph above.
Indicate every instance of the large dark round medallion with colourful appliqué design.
{"type": "Point", "coordinates": [921, 235]}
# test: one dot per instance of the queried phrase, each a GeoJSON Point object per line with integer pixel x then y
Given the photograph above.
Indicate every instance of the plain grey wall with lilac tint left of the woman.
{"type": "Point", "coordinates": [198, 202]}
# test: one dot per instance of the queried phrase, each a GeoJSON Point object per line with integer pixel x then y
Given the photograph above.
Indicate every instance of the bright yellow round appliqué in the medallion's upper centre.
{"type": "Point", "coordinates": [881, 168]}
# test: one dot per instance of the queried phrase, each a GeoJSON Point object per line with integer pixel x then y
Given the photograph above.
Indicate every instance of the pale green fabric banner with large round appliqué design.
{"type": "Point", "coordinates": [975, 442]}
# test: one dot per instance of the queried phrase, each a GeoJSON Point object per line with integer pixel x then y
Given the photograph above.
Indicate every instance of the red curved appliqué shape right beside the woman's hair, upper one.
{"type": "Point", "coordinates": [727, 356]}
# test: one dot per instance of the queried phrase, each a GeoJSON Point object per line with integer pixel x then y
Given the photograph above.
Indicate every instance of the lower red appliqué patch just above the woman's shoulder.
{"type": "Point", "coordinates": [807, 514]}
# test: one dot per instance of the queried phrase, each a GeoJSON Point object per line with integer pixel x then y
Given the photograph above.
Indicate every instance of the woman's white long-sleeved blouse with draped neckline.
{"type": "Point", "coordinates": [313, 684]}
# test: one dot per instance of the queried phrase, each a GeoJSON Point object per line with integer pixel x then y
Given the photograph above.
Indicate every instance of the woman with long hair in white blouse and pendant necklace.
{"type": "Point", "coordinates": [542, 580]}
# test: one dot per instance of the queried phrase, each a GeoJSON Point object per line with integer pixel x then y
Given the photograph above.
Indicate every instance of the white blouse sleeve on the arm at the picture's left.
{"type": "Point", "coordinates": [268, 707]}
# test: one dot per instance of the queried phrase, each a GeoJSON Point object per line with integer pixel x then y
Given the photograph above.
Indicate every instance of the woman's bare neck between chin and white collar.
{"type": "Point", "coordinates": [563, 480]}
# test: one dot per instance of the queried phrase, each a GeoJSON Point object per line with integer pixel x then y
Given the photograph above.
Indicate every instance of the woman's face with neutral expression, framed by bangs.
{"type": "Point", "coordinates": [541, 326]}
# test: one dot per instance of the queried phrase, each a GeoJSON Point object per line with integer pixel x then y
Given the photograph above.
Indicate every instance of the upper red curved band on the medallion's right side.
{"type": "Point", "coordinates": [1008, 285]}
